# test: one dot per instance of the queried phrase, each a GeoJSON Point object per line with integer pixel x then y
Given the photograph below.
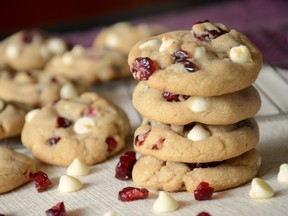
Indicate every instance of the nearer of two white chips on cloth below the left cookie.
{"type": "Point", "coordinates": [68, 184]}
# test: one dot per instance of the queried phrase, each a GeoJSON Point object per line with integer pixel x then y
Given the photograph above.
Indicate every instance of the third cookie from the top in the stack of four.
{"type": "Point", "coordinates": [196, 142]}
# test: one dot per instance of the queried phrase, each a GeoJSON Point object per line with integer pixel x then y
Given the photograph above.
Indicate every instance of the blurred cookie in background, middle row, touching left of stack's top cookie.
{"type": "Point", "coordinates": [89, 66]}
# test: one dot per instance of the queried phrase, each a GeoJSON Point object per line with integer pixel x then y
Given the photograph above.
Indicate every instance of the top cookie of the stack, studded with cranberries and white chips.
{"type": "Point", "coordinates": [208, 60]}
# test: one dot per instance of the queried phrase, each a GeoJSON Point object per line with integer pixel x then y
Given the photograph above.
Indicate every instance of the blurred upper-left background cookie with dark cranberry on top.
{"type": "Point", "coordinates": [31, 49]}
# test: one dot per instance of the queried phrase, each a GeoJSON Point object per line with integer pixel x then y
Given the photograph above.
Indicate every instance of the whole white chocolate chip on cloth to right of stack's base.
{"type": "Point", "coordinates": [260, 189]}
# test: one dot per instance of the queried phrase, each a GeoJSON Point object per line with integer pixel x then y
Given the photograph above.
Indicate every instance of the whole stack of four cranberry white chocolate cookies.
{"type": "Point", "coordinates": [197, 100]}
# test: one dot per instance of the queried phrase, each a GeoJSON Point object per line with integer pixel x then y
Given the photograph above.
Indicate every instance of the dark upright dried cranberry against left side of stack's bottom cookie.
{"type": "Point", "coordinates": [123, 170]}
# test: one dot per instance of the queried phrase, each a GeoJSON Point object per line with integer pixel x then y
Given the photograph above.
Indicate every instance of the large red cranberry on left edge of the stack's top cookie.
{"type": "Point", "coordinates": [143, 68]}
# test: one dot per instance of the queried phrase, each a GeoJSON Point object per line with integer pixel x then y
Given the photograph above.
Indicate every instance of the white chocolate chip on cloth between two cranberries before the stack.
{"type": "Point", "coordinates": [165, 203]}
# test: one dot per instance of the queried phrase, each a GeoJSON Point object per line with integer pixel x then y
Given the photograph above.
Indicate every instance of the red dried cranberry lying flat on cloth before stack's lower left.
{"type": "Point", "coordinates": [132, 193]}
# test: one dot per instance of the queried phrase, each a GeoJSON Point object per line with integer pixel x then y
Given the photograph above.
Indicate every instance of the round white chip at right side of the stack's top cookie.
{"type": "Point", "coordinates": [240, 54]}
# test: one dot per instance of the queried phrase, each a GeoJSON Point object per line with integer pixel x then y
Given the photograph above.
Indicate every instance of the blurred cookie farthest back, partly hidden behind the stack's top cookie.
{"type": "Point", "coordinates": [123, 35]}
